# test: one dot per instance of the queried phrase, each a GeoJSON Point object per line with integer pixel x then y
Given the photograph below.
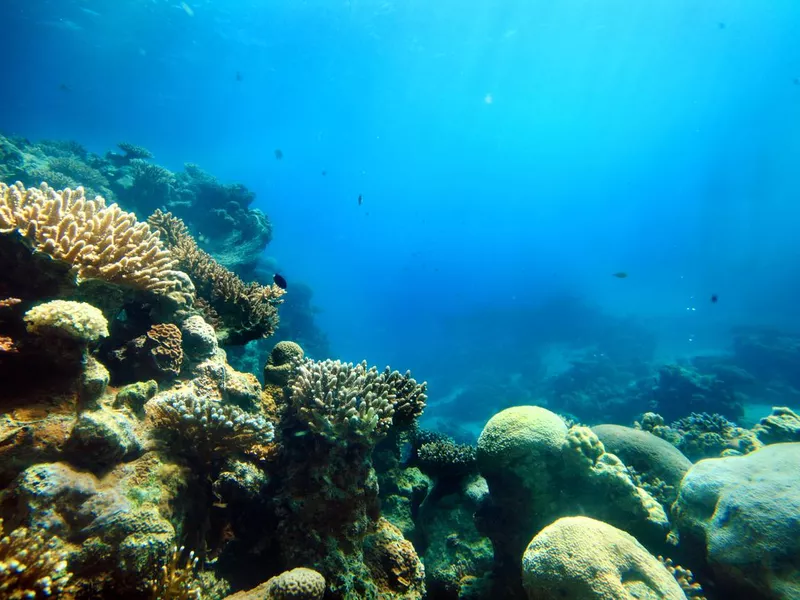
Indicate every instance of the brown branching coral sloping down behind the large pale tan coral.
{"type": "Point", "coordinates": [245, 311]}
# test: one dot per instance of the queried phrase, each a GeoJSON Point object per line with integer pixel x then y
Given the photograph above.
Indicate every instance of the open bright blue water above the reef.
{"type": "Point", "coordinates": [511, 156]}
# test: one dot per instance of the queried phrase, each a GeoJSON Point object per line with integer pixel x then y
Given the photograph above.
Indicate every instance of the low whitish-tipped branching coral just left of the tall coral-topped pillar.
{"type": "Point", "coordinates": [206, 429]}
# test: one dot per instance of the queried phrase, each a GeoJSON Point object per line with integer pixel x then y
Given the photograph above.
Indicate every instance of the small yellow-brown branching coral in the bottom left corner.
{"type": "Point", "coordinates": [32, 565]}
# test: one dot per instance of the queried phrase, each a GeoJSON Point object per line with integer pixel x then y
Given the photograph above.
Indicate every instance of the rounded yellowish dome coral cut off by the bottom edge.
{"type": "Point", "coordinates": [578, 558]}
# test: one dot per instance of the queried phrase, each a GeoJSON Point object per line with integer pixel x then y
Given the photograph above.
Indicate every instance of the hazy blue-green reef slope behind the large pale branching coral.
{"type": "Point", "coordinates": [218, 215]}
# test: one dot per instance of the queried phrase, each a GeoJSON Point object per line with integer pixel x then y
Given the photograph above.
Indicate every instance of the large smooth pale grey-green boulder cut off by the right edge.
{"type": "Point", "coordinates": [744, 511]}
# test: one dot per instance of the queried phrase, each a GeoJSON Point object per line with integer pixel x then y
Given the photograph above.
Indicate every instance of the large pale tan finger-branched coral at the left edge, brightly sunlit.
{"type": "Point", "coordinates": [98, 241]}
